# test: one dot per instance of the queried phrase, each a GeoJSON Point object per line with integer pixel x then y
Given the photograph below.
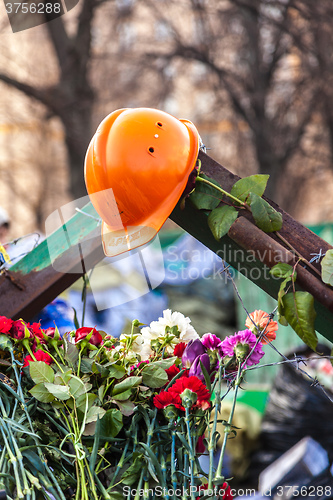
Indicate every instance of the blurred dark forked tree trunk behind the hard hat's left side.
{"type": "Point", "coordinates": [72, 98]}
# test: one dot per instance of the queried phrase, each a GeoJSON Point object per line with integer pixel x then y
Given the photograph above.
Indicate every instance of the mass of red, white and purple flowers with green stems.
{"type": "Point", "coordinates": [89, 416]}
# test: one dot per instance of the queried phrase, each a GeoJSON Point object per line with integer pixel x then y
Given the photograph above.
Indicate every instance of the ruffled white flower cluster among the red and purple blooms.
{"type": "Point", "coordinates": [156, 330]}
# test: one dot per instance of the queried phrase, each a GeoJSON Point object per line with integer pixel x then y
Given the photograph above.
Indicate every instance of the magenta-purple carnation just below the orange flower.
{"type": "Point", "coordinates": [241, 344]}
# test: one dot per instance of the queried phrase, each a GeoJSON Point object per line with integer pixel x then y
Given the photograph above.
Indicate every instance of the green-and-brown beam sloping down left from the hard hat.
{"type": "Point", "coordinates": [34, 281]}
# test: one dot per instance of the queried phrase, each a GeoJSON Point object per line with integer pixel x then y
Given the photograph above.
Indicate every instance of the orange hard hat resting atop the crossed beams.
{"type": "Point", "coordinates": [136, 168]}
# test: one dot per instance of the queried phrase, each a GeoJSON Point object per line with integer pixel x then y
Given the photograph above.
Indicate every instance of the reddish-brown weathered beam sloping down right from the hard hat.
{"type": "Point", "coordinates": [253, 252]}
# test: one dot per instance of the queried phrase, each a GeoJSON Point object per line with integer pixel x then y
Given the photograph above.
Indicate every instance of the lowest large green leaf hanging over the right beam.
{"type": "Point", "coordinates": [300, 313]}
